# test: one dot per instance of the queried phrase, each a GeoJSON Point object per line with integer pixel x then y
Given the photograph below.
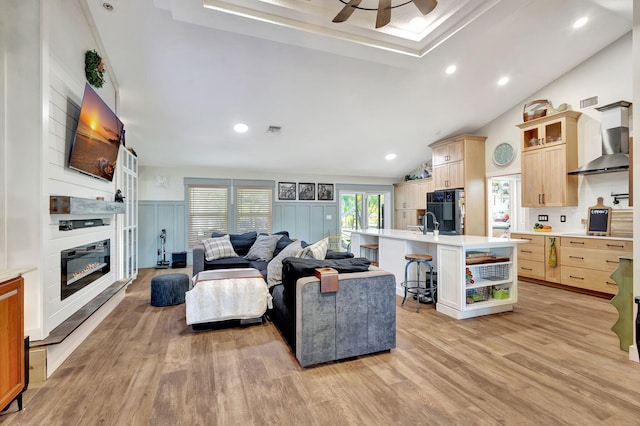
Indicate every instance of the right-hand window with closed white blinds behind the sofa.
{"type": "Point", "coordinates": [254, 209]}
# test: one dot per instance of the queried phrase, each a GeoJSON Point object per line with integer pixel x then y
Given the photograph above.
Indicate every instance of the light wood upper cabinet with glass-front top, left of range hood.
{"type": "Point", "coordinates": [549, 151]}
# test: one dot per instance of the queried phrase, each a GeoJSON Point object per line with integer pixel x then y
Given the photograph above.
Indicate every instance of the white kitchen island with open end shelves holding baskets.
{"type": "Point", "coordinates": [475, 275]}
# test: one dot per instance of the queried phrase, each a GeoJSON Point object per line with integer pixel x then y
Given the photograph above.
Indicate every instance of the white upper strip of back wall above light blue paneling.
{"type": "Point", "coordinates": [149, 179]}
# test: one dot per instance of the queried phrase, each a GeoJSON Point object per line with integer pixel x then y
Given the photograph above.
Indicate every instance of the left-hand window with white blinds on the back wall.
{"type": "Point", "coordinates": [207, 211]}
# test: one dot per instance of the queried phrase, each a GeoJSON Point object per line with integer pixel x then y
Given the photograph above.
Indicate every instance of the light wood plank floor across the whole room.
{"type": "Point", "coordinates": [552, 361]}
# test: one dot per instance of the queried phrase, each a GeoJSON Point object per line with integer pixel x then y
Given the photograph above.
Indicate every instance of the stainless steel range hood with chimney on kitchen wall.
{"type": "Point", "coordinates": [615, 141]}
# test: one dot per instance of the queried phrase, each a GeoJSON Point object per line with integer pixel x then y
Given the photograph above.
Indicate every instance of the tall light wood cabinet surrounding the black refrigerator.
{"type": "Point", "coordinates": [458, 162]}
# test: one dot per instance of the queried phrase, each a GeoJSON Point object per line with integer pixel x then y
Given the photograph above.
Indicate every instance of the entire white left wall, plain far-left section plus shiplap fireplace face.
{"type": "Point", "coordinates": [42, 46]}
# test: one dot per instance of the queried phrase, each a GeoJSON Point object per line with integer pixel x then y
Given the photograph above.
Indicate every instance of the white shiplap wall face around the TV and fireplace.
{"type": "Point", "coordinates": [68, 37]}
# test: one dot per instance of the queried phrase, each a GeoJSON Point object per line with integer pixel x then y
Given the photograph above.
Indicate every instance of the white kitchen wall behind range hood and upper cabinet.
{"type": "Point", "coordinates": [607, 75]}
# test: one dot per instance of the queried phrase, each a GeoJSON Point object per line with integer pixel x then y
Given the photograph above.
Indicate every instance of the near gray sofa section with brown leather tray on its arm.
{"type": "Point", "coordinates": [358, 319]}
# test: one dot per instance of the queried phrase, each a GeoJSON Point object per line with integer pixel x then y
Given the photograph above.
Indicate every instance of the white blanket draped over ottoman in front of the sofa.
{"type": "Point", "coordinates": [233, 298]}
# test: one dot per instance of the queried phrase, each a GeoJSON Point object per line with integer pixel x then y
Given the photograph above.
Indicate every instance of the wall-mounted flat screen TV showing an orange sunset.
{"type": "Point", "coordinates": [94, 150]}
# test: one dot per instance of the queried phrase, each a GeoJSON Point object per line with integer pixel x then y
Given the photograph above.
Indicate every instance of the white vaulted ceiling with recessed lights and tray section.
{"type": "Point", "coordinates": [343, 94]}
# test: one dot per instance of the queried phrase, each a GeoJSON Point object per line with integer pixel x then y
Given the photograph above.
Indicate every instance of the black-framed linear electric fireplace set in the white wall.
{"type": "Point", "coordinates": [82, 265]}
